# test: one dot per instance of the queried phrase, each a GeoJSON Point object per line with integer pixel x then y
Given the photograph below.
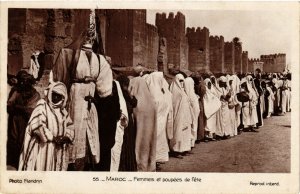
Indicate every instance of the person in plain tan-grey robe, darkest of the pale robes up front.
{"type": "Point", "coordinates": [145, 117]}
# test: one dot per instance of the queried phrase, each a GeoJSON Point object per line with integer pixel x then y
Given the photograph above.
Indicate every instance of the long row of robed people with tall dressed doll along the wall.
{"type": "Point", "coordinates": [90, 120]}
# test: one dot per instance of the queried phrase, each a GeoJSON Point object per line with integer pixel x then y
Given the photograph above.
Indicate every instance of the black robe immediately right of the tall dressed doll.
{"type": "Point", "coordinates": [109, 113]}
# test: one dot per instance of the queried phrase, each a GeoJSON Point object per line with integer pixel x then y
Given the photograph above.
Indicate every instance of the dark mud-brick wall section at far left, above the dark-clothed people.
{"type": "Point", "coordinates": [26, 35]}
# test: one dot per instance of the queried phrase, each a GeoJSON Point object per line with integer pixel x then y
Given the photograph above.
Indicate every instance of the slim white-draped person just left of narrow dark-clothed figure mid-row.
{"type": "Point", "coordinates": [195, 109]}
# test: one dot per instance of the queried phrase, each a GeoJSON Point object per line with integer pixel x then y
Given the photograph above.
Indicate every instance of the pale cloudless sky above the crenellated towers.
{"type": "Point", "coordinates": [261, 32]}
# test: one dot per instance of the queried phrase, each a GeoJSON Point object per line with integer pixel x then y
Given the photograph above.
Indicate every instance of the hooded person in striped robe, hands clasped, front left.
{"type": "Point", "coordinates": [49, 133]}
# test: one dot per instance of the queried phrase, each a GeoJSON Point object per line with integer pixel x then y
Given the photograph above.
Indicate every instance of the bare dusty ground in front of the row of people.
{"type": "Point", "coordinates": [265, 152]}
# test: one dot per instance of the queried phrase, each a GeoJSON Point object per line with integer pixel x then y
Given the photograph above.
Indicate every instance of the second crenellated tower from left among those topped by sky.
{"type": "Point", "coordinates": [198, 41]}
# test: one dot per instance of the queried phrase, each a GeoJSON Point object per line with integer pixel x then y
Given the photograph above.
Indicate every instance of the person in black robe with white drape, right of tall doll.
{"type": "Point", "coordinates": [112, 118]}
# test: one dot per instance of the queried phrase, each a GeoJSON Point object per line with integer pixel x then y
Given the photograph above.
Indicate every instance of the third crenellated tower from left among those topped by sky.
{"type": "Point", "coordinates": [216, 54]}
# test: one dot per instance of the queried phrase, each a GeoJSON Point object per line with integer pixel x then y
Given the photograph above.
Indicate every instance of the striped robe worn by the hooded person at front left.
{"type": "Point", "coordinates": [39, 152]}
